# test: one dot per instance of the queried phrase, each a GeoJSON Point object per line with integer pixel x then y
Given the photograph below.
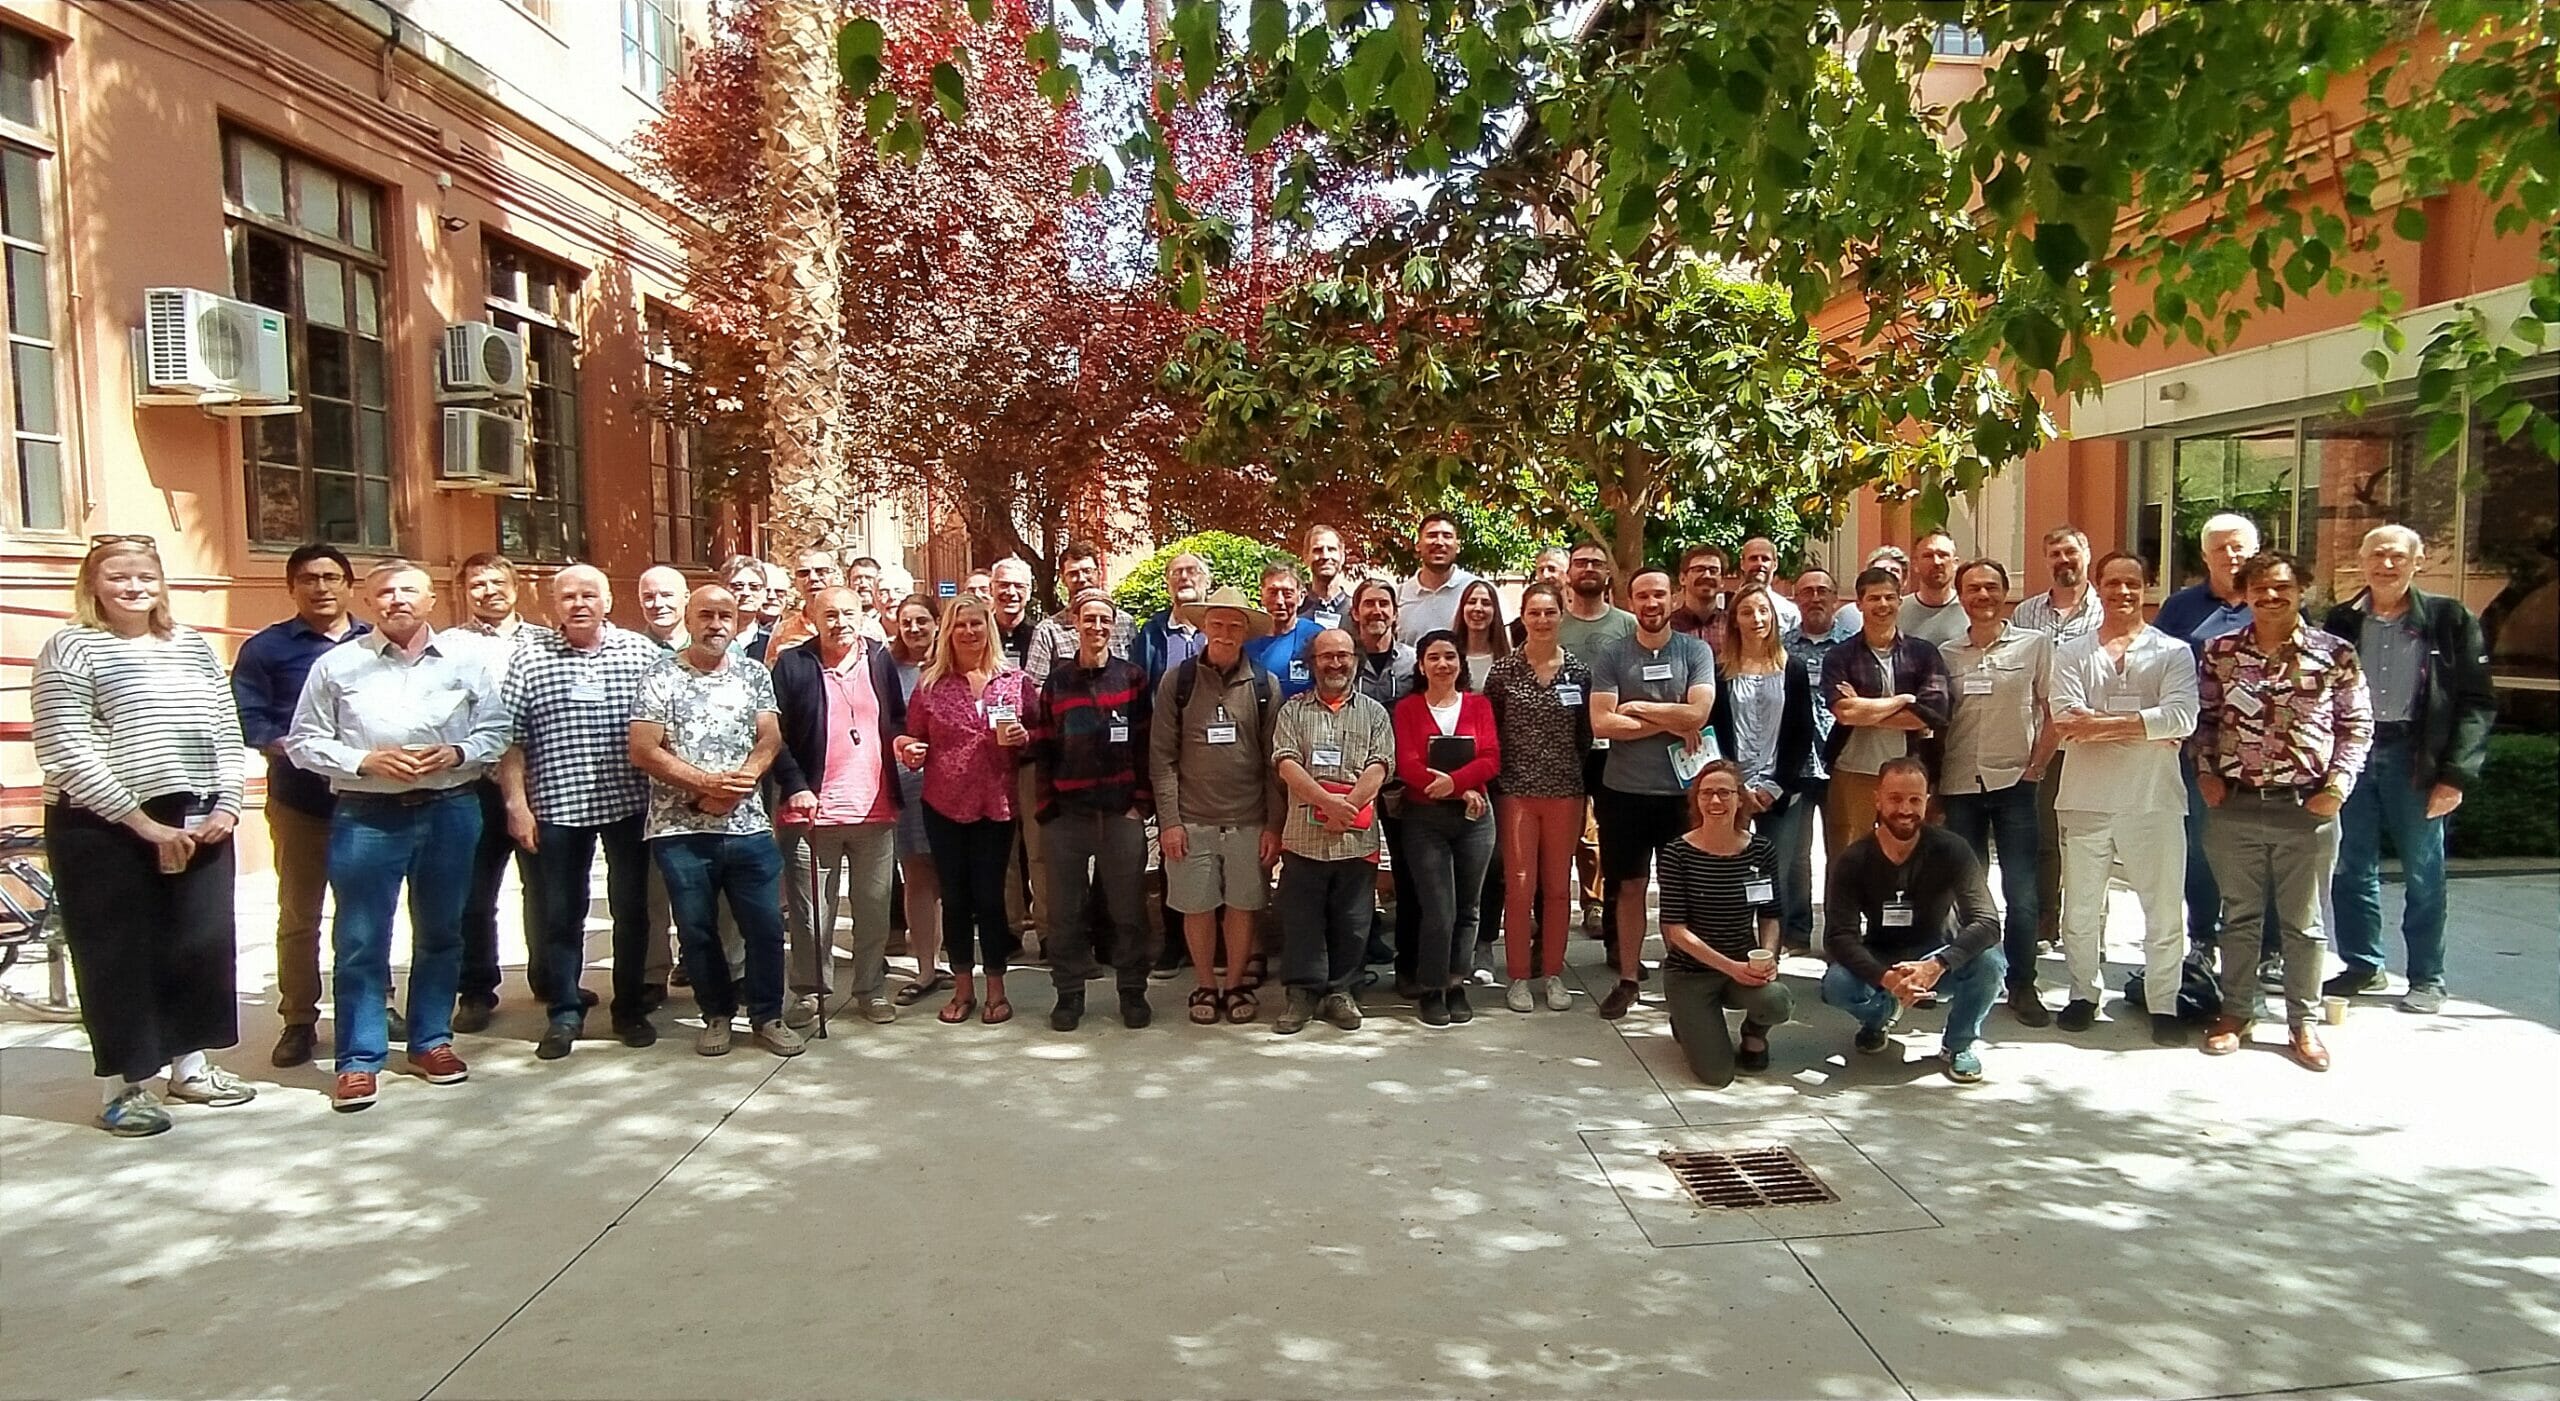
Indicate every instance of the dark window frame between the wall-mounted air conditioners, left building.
{"type": "Point", "coordinates": [355, 263]}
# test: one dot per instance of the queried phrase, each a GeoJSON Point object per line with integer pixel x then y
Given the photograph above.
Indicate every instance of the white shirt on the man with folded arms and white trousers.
{"type": "Point", "coordinates": [2157, 683]}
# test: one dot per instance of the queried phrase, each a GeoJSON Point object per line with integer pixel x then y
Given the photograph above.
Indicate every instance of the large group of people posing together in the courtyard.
{"type": "Point", "coordinates": [1338, 770]}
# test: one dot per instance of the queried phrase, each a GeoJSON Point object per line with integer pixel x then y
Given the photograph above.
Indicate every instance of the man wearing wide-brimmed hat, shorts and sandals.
{"type": "Point", "coordinates": [1215, 798]}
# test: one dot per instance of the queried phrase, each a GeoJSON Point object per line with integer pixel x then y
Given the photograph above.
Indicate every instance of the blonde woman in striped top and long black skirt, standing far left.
{"type": "Point", "coordinates": [142, 788]}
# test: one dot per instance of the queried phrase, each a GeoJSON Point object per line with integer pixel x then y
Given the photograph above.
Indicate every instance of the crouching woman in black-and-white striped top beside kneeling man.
{"type": "Point", "coordinates": [1719, 931]}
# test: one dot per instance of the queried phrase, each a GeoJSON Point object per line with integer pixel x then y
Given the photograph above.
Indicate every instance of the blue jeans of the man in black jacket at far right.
{"type": "Point", "coordinates": [2387, 803]}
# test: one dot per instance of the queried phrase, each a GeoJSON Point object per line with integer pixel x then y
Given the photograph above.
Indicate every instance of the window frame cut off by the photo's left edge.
{"type": "Point", "coordinates": [45, 145]}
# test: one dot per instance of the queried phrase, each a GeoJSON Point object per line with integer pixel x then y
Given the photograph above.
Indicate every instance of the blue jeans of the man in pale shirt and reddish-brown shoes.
{"type": "Point", "coordinates": [375, 846]}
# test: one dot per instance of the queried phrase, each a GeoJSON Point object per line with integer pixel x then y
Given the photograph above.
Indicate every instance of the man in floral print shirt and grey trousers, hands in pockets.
{"type": "Point", "coordinates": [2282, 731]}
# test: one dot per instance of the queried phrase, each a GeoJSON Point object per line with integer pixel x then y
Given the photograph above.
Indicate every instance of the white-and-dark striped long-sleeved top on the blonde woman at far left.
{"type": "Point", "coordinates": [124, 721]}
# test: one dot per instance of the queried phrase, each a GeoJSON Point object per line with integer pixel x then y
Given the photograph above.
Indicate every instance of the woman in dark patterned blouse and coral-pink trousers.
{"type": "Point", "coordinates": [1542, 711]}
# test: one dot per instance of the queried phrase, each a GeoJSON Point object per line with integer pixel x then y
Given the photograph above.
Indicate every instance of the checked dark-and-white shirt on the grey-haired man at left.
{"type": "Point", "coordinates": [572, 718]}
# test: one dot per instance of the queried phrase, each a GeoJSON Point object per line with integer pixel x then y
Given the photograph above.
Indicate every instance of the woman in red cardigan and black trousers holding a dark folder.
{"type": "Point", "coordinates": [1445, 754]}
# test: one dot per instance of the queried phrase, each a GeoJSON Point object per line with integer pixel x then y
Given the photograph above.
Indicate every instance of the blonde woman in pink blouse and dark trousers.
{"type": "Point", "coordinates": [964, 731]}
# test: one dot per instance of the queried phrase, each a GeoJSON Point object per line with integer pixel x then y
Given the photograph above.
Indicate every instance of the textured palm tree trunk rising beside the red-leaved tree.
{"type": "Point", "coordinates": [803, 106]}
